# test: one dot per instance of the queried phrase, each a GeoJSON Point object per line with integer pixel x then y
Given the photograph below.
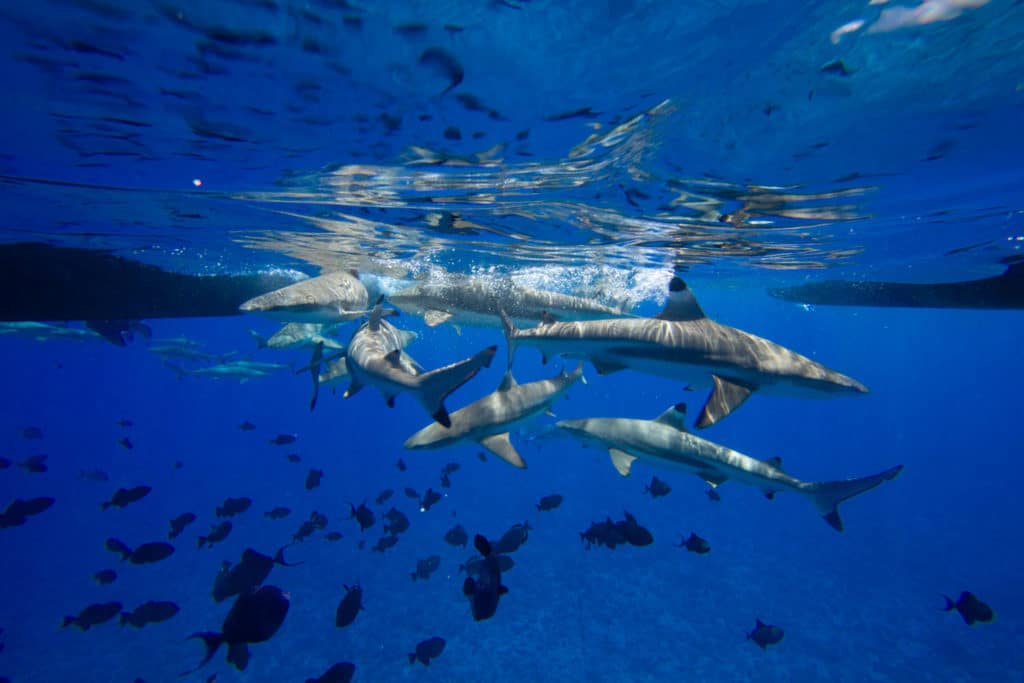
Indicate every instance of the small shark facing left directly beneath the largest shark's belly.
{"type": "Point", "coordinates": [490, 420]}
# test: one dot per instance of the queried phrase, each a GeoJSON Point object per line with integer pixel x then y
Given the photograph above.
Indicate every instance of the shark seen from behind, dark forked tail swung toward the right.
{"type": "Point", "coordinates": [375, 358]}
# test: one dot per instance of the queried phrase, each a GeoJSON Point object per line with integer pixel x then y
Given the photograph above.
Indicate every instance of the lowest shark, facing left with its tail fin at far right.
{"type": "Point", "coordinates": [666, 442]}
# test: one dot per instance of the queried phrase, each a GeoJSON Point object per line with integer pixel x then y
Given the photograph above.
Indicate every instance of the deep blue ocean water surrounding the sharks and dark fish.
{"type": "Point", "coordinates": [302, 123]}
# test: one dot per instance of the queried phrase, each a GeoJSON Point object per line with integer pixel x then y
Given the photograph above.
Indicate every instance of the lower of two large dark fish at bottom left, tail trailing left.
{"type": "Point", "coordinates": [254, 618]}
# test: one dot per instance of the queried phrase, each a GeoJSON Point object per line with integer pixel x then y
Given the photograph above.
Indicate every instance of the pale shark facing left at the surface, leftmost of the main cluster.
{"type": "Point", "coordinates": [333, 297]}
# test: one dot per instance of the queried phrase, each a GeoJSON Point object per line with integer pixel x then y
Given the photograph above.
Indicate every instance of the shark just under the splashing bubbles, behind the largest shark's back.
{"type": "Point", "coordinates": [478, 303]}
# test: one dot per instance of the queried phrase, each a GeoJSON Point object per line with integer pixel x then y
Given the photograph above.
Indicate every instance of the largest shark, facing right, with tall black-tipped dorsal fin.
{"type": "Point", "coordinates": [682, 344]}
